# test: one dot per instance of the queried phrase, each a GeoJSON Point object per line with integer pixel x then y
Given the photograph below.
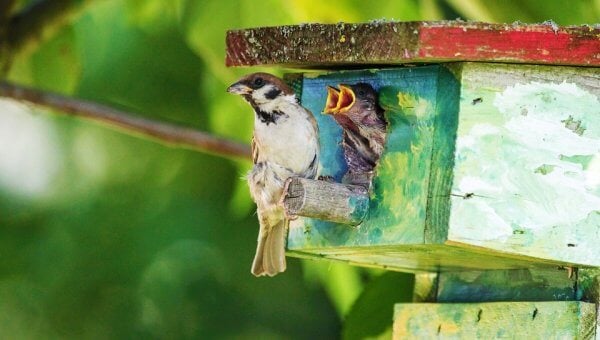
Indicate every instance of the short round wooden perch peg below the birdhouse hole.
{"type": "Point", "coordinates": [334, 202]}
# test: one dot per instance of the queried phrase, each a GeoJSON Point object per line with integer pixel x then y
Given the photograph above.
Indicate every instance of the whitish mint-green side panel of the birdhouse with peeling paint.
{"type": "Point", "coordinates": [527, 163]}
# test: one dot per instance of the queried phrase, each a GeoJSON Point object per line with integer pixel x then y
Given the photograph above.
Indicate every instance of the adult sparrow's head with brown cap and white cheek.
{"type": "Point", "coordinates": [262, 89]}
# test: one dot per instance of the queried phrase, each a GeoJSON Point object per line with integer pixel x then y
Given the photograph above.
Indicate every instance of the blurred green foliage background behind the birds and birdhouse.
{"type": "Point", "coordinates": [104, 235]}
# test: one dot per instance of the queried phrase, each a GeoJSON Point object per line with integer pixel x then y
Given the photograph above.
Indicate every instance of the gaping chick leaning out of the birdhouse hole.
{"type": "Point", "coordinates": [355, 108]}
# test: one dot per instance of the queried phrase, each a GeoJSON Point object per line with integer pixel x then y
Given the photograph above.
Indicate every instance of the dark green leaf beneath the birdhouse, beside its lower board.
{"type": "Point", "coordinates": [371, 315]}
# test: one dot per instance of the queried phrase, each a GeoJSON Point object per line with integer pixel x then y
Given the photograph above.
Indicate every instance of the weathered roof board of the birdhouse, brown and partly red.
{"type": "Point", "coordinates": [380, 42]}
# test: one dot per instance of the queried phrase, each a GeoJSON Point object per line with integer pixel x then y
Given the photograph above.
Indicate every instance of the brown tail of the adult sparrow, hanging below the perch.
{"type": "Point", "coordinates": [270, 251]}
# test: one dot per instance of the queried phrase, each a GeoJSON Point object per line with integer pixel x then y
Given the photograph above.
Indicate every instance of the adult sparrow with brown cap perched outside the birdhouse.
{"type": "Point", "coordinates": [285, 144]}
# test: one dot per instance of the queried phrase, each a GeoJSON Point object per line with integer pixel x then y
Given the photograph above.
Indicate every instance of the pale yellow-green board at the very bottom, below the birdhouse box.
{"type": "Point", "coordinates": [493, 320]}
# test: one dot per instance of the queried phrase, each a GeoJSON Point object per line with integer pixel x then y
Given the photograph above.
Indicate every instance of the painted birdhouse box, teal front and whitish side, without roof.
{"type": "Point", "coordinates": [487, 166]}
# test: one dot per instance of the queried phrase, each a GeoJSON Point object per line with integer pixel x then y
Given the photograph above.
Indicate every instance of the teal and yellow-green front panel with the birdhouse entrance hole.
{"type": "Point", "coordinates": [398, 207]}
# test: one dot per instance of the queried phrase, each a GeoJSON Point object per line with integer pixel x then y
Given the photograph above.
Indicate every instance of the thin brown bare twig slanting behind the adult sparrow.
{"type": "Point", "coordinates": [166, 133]}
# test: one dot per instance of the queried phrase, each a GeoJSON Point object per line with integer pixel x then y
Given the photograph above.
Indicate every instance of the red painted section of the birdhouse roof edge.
{"type": "Point", "coordinates": [536, 44]}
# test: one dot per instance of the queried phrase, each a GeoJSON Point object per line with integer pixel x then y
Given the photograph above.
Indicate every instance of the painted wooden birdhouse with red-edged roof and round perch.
{"type": "Point", "coordinates": [489, 184]}
